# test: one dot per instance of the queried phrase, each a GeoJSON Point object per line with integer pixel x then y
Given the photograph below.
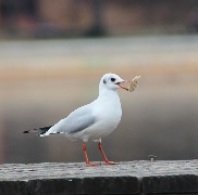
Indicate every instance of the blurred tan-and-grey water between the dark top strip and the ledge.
{"type": "Point", "coordinates": [43, 81]}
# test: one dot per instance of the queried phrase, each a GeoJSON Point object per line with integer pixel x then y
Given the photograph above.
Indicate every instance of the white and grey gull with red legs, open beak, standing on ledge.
{"type": "Point", "coordinates": [94, 120]}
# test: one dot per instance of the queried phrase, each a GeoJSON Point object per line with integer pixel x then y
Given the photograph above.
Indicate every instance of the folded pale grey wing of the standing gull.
{"type": "Point", "coordinates": [78, 120]}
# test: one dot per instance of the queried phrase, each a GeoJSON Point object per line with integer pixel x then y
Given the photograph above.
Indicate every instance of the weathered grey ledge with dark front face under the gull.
{"type": "Point", "coordinates": [136, 177]}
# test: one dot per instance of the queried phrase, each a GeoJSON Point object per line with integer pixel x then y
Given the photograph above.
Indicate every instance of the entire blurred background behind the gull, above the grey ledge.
{"type": "Point", "coordinates": [53, 54]}
